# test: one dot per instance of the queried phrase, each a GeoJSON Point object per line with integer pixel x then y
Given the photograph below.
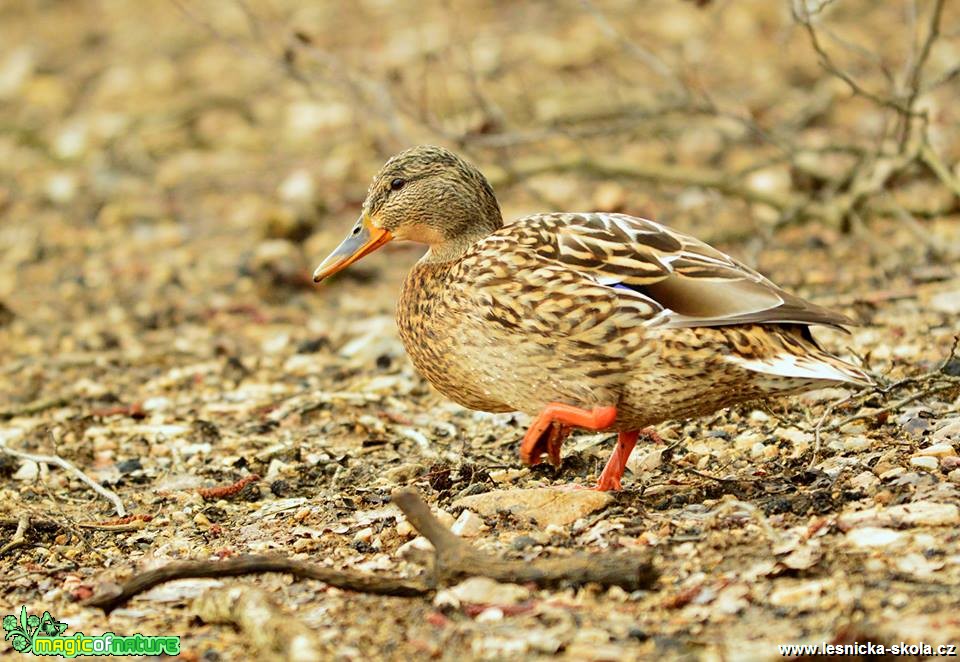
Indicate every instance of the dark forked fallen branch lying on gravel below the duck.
{"type": "Point", "coordinates": [454, 559]}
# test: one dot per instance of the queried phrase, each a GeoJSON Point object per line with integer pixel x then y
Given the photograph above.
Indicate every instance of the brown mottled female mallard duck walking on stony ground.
{"type": "Point", "coordinates": [598, 321]}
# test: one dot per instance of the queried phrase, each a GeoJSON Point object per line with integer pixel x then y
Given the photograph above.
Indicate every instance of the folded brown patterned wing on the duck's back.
{"type": "Point", "coordinates": [689, 282]}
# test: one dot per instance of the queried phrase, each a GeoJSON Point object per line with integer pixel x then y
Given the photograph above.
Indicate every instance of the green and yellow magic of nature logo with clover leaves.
{"type": "Point", "coordinates": [44, 635]}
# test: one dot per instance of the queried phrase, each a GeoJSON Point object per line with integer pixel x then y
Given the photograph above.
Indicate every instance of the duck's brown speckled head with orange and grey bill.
{"type": "Point", "coordinates": [426, 194]}
